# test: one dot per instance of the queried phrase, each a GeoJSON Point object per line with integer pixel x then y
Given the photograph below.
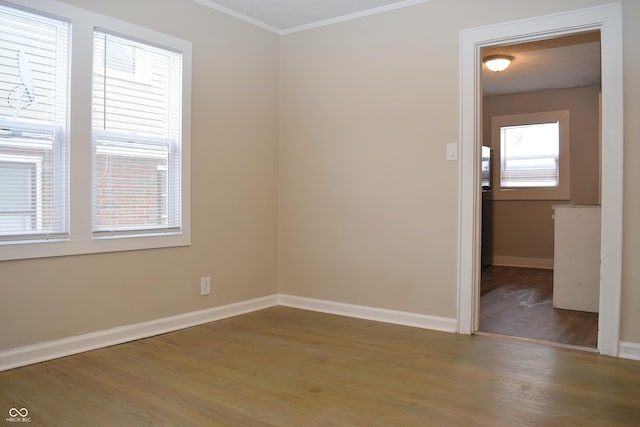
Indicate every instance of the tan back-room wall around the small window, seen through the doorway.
{"type": "Point", "coordinates": [524, 229]}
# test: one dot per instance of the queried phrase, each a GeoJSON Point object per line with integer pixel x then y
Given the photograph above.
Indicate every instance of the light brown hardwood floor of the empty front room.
{"type": "Point", "coordinates": [288, 367]}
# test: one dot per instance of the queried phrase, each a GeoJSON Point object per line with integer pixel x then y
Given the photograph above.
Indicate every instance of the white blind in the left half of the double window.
{"type": "Point", "coordinates": [33, 126]}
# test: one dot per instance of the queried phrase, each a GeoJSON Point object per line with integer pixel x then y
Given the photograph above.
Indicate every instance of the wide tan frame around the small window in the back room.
{"type": "Point", "coordinates": [560, 192]}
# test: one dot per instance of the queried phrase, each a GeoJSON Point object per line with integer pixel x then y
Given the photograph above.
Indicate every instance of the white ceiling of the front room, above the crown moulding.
{"type": "Point", "coordinates": [286, 16]}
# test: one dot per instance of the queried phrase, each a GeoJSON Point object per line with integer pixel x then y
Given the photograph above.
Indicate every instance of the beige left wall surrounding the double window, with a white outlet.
{"type": "Point", "coordinates": [234, 197]}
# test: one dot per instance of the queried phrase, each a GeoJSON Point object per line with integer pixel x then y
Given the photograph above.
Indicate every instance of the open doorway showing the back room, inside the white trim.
{"type": "Point", "coordinates": [540, 131]}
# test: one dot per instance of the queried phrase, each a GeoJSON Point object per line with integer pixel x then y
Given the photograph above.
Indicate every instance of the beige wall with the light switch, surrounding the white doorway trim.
{"type": "Point", "coordinates": [368, 202]}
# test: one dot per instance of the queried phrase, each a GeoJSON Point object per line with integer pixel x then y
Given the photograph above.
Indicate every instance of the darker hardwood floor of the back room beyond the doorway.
{"type": "Point", "coordinates": [518, 302]}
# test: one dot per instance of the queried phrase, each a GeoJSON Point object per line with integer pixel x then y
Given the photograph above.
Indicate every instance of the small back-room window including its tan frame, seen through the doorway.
{"type": "Point", "coordinates": [533, 155]}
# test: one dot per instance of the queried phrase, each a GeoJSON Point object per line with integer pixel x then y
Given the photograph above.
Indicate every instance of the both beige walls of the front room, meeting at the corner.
{"type": "Point", "coordinates": [349, 173]}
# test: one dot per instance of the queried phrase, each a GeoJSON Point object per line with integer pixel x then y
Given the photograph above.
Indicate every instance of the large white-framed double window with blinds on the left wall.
{"type": "Point", "coordinates": [116, 175]}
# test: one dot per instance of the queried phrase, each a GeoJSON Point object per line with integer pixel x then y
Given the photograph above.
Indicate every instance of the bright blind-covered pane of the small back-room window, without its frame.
{"type": "Point", "coordinates": [530, 155]}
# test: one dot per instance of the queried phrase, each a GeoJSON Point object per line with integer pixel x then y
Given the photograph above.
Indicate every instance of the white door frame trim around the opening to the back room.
{"type": "Point", "coordinates": [606, 19]}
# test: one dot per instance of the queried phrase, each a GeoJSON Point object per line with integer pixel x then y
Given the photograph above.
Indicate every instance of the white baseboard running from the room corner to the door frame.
{"type": "Point", "coordinates": [445, 324]}
